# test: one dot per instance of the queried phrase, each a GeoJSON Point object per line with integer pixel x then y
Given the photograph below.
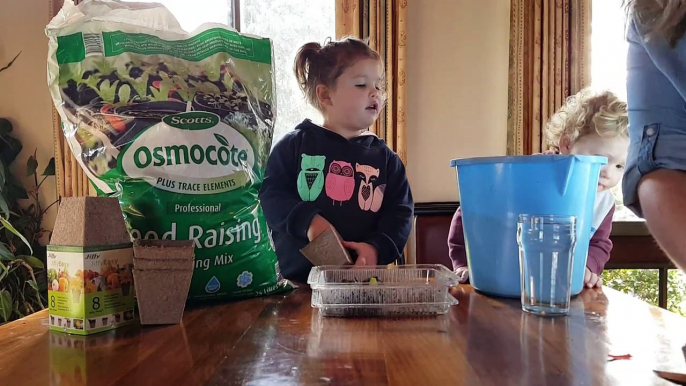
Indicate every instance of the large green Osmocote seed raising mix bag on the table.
{"type": "Point", "coordinates": [176, 125]}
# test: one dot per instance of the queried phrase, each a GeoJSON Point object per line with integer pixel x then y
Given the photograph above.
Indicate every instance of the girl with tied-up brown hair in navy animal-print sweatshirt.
{"type": "Point", "coordinates": [336, 174]}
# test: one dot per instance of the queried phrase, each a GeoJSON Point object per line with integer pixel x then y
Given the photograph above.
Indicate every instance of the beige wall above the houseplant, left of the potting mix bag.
{"type": "Point", "coordinates": [24, 97]}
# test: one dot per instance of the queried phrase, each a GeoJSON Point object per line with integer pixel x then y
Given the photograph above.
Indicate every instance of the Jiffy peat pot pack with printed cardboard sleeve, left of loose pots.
{"type": "Point", "coordinates": [90, 261]}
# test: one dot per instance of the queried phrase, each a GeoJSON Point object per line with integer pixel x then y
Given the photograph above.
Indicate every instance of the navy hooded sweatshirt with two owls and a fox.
{"type": "Point", "coordinates": [358, 185]}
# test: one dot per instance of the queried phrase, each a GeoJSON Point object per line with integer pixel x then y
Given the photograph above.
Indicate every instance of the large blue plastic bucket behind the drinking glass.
{"type": "Point", "coordinates": [494, 191]}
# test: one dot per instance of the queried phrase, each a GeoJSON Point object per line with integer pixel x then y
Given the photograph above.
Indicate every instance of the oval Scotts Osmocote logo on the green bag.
{"type": "Point", "coordinates": [215, 158]}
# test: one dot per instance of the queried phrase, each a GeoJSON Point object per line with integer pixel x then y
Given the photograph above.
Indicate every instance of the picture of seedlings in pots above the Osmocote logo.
{"type": "Point", "coordinates": [120, 103]}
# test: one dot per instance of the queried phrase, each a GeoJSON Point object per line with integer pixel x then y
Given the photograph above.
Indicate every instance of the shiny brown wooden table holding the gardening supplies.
{"type": "Point", "coordinates": [282, 340]}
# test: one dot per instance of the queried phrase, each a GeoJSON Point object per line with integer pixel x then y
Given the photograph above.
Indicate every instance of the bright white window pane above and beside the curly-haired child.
{"type": "Point", "coordinates": [608, 66]}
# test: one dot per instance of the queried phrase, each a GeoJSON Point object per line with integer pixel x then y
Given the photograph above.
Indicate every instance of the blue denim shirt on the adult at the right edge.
{"type": "Point", "coordinates": [656, 93]}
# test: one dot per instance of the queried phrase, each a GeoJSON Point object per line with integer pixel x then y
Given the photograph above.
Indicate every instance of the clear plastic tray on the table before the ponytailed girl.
{"type": "Point", "coordinates": [397, 290]}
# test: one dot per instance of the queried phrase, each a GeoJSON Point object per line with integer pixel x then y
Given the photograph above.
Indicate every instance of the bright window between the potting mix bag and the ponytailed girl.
{"type": "Point", "coordinates": [289, 24]}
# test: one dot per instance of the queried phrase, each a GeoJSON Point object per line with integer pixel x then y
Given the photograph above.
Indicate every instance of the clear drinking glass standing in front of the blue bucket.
{"type": "Point", "coordinates": [546, 248]}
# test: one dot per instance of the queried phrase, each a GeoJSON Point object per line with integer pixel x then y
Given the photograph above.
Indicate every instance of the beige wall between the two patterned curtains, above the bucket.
{"type": "Point", "coordinates": [457, 89]}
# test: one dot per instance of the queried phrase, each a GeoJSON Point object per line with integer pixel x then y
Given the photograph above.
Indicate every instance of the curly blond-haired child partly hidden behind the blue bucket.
{"type": "Point", "coordinates": [589, 123]}
